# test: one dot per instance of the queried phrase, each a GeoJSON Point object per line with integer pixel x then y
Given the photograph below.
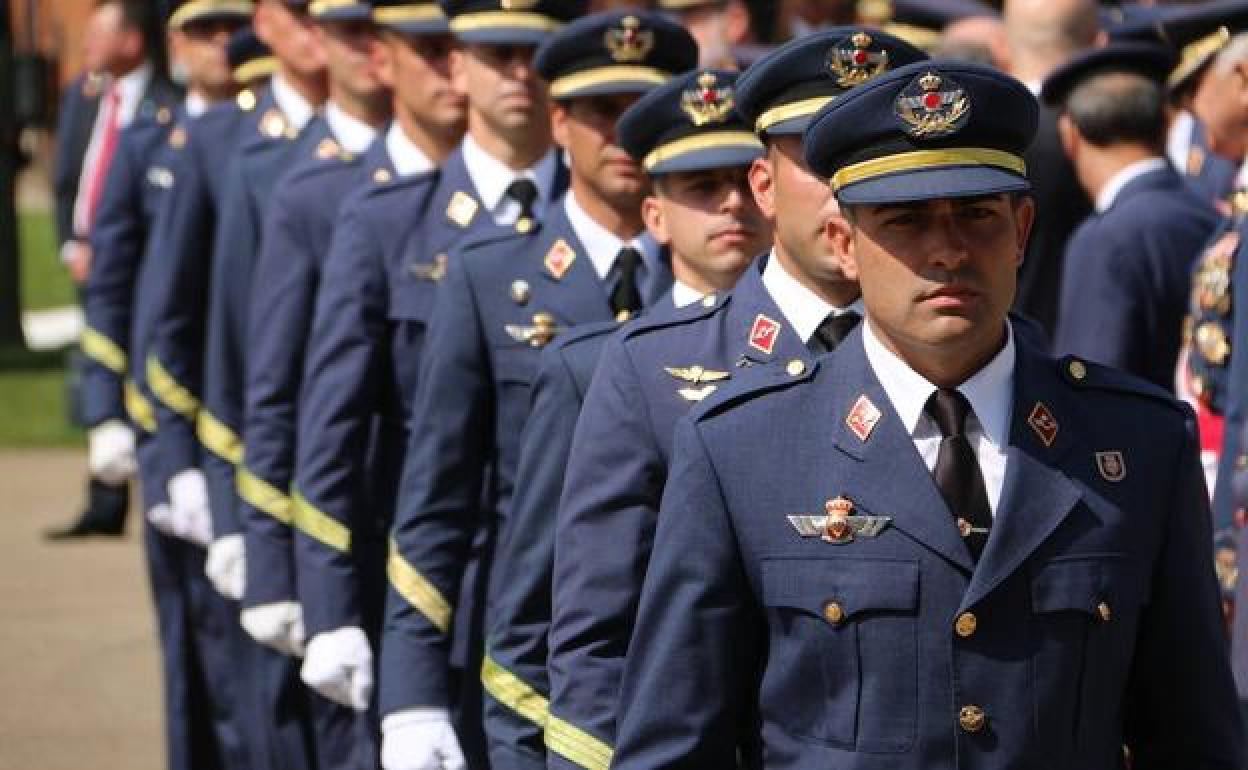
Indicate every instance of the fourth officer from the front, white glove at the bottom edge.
{"type": "Point", "coordinates": [505, 298]}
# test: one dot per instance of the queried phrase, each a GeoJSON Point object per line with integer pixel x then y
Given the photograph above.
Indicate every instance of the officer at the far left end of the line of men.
{"type": "Point", "coordinates": [204, 724]}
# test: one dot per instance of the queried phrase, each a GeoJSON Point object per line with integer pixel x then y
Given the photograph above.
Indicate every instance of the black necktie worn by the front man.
{"type": "Point", "coordinates": [958, 471]}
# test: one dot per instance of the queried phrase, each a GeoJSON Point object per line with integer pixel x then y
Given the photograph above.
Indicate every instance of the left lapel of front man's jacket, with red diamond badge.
{"type": "Point", "coordinates": [894, 481]}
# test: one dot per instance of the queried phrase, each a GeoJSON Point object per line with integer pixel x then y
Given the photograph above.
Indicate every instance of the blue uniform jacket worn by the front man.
{"type": "Point", "coordinates": [1059, 648]}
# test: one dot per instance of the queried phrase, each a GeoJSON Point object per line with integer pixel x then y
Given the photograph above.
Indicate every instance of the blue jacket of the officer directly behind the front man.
{"type": "Point", "coordinates": [650, 376]}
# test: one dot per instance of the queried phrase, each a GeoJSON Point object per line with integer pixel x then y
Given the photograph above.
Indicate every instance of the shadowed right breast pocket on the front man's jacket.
{"type": "Point", "coordinates": [1085, 612]}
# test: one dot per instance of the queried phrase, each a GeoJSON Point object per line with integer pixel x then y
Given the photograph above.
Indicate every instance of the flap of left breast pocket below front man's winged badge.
{"type": "Point", "coordinates": [858, 586]}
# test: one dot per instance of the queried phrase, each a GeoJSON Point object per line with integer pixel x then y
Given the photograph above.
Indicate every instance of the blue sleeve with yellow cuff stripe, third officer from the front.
{"type": "Point", "coordinates": [519, 610]}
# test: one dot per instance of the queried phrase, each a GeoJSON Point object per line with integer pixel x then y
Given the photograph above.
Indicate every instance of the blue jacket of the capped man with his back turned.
{"type": "Point", "coordinates": [1126, 278]}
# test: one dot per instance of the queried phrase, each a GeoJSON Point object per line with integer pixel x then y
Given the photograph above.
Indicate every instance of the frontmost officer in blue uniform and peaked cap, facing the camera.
{"type": "Point", "coordinates": [937, 547]}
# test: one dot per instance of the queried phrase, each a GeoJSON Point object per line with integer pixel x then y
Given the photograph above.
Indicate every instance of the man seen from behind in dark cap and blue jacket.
{"type": "Point", "coordinates": [1126, 270]}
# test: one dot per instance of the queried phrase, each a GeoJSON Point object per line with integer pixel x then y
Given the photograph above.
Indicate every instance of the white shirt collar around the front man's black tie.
{"type": "Point", "coordinates": [990, 392]}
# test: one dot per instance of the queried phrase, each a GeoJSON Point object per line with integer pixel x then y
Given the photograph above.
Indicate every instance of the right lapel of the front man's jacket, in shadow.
{"type": "Point", "coordinates": [1036, 496]}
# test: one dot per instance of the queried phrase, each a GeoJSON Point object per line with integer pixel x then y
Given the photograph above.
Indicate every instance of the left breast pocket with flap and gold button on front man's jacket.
{"type": "Point", "coordinates": [844, 663]}
